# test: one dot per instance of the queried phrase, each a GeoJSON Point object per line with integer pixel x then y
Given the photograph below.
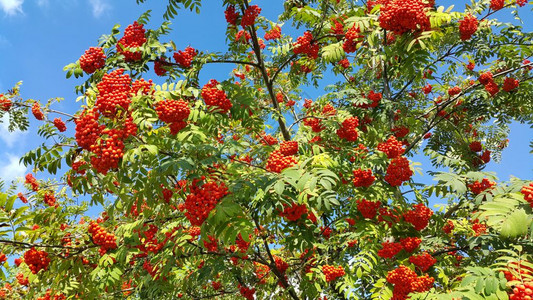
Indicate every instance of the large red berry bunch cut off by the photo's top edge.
{"type": "Point", "coordinates": [400, 16]}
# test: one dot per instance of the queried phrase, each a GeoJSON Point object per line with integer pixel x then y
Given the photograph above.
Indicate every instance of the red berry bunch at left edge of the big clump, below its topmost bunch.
{"type": "Point", "coordinates": [87, 129]}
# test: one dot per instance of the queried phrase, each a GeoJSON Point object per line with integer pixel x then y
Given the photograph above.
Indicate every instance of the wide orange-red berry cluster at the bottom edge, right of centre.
{"type": "Point", "coordinates": [406, 281]}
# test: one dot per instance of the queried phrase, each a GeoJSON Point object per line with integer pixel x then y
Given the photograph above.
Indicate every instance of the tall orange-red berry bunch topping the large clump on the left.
{"type": "Point", "coordinates": [113, 92]}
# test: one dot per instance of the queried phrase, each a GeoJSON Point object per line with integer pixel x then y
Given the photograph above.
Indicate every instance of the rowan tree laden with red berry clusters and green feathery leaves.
{"type": "Point", "coordinates": [242, 188]}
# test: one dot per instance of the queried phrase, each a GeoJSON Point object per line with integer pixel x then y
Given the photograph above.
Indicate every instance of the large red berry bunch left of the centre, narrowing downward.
{"type": "Point", "coordinates": [202, 199]}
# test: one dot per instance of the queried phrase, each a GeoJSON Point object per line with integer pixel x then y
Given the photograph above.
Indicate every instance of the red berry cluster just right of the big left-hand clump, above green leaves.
{"type": "Point", "coordinates": [174, 113]}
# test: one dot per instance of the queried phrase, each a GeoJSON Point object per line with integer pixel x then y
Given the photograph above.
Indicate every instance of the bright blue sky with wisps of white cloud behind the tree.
{"type": "Point", "coordinates": [39, 37]}
